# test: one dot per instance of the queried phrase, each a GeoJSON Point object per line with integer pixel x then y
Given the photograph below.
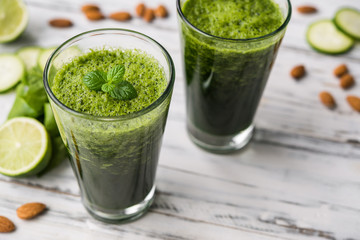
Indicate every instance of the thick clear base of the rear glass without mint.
{"type": "Point", "coordinates": [220, 144]}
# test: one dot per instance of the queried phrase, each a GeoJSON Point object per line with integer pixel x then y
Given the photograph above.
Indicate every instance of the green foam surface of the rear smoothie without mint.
{"type": "Point", "coordinates": [240, 19]}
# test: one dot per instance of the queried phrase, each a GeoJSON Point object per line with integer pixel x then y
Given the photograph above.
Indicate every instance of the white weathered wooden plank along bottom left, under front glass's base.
{"type": "Point", "coordinates": [67, 219]}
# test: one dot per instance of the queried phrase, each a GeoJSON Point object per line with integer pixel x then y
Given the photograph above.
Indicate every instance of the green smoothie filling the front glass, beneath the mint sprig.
{"type": "Point", "coordinates": [114, 160]}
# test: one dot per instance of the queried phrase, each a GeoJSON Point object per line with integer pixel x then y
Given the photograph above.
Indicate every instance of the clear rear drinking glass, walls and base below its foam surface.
{"type": "Point", "coordinates": [225, 79]}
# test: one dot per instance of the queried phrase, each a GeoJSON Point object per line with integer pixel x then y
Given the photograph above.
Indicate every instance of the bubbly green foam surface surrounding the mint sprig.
{"type": "Point", "coordinates": [142, 70]}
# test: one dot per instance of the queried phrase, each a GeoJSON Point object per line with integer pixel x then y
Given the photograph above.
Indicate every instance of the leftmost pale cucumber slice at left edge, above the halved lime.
{"type": "Point", "coordinates": [12, 70]}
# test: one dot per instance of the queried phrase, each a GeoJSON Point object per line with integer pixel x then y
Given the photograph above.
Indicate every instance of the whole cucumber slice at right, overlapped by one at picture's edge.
{"type": "Point", "coordinates": [324, 37]}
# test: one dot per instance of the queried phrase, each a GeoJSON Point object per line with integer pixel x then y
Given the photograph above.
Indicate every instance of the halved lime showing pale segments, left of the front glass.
{"type": "Point", "coordinates": [25, 147]}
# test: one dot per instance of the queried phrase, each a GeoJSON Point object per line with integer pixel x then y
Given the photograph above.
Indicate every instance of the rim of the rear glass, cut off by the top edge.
{"type": "Point", "coordinates": [279, 29]}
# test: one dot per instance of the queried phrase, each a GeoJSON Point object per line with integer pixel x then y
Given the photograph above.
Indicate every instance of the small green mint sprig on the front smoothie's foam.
{"type": "Point", "coordinates": [111, 83]}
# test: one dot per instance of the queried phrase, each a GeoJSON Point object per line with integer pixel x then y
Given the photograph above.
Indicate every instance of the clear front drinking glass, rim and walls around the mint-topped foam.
{"type": "Point", "coordinates": [114, 158]}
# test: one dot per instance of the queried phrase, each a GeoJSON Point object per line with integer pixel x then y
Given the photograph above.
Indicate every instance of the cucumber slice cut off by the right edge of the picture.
{"type": "Point", "coordinates": [348, 21]}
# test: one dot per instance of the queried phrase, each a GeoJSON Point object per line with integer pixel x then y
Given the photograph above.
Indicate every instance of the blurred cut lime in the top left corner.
{"type": "Point", "coordinates": [13, 19]}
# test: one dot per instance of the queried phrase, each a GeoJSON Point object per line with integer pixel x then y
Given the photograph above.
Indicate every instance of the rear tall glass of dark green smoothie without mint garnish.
{"type": "Point", "coordinates": [229, 48]}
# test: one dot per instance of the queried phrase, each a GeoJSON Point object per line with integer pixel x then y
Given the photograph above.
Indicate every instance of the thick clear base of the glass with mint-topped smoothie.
{"type": "Point", "coordinates": [124, 215]}
